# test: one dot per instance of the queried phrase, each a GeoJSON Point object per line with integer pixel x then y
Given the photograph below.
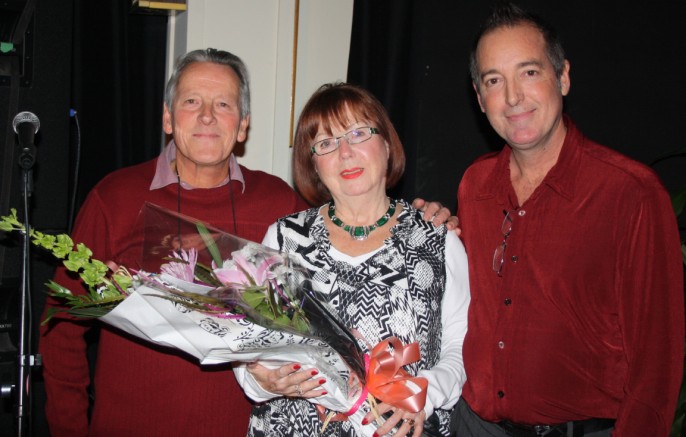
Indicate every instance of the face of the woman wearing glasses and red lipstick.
{"type": "Point", "coordinates": [353, 170]}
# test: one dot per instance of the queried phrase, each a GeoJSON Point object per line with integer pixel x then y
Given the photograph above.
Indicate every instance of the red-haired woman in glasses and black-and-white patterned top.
{"type": "Point", "coordinates": [384, 270]}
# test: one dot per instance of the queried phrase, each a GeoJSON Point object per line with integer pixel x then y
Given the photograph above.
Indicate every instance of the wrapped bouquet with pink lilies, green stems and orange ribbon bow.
{"type": "Point", "coordinates": [220, 298]}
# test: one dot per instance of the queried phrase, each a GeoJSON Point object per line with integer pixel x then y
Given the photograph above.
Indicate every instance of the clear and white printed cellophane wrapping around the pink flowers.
{"type": "Point", "coordinates": [288, 325]}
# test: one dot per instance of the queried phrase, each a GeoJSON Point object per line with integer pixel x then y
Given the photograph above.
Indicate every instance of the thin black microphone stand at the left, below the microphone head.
{"type": "Point", "coordinates": [26, 359]}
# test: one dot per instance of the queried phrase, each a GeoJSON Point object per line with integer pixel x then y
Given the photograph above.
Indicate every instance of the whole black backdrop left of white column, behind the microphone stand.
{"type": "Point", "coordinates": [107, 63]}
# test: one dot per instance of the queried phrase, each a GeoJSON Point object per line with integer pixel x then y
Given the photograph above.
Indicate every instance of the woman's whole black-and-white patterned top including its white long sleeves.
{"type": "Point", "coordinates": [415, 287]}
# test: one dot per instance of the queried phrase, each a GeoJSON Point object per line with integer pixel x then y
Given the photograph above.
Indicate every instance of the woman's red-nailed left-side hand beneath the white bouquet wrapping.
{"type": "Point", "coordinates": [288, 380]}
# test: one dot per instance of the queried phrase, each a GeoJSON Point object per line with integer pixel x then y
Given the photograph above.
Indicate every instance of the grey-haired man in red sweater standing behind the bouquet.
{"type": "Point", "coordinates": [140, 389]}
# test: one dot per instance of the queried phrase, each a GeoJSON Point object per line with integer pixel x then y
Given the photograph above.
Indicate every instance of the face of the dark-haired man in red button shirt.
{"type": "Point", "coordinates": [518, 89]}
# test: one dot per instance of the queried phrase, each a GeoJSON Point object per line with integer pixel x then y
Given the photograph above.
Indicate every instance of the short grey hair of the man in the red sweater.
{"type": "Point", "coordinates": [216, 57]}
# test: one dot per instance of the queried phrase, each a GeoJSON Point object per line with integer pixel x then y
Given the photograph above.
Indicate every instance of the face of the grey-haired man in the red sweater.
{"type": "Point", "coordinates": [205, 117]}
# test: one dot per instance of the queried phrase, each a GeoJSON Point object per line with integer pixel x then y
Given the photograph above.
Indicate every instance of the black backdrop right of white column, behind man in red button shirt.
{"type": "Point", "coordinates": [626, 91]}
